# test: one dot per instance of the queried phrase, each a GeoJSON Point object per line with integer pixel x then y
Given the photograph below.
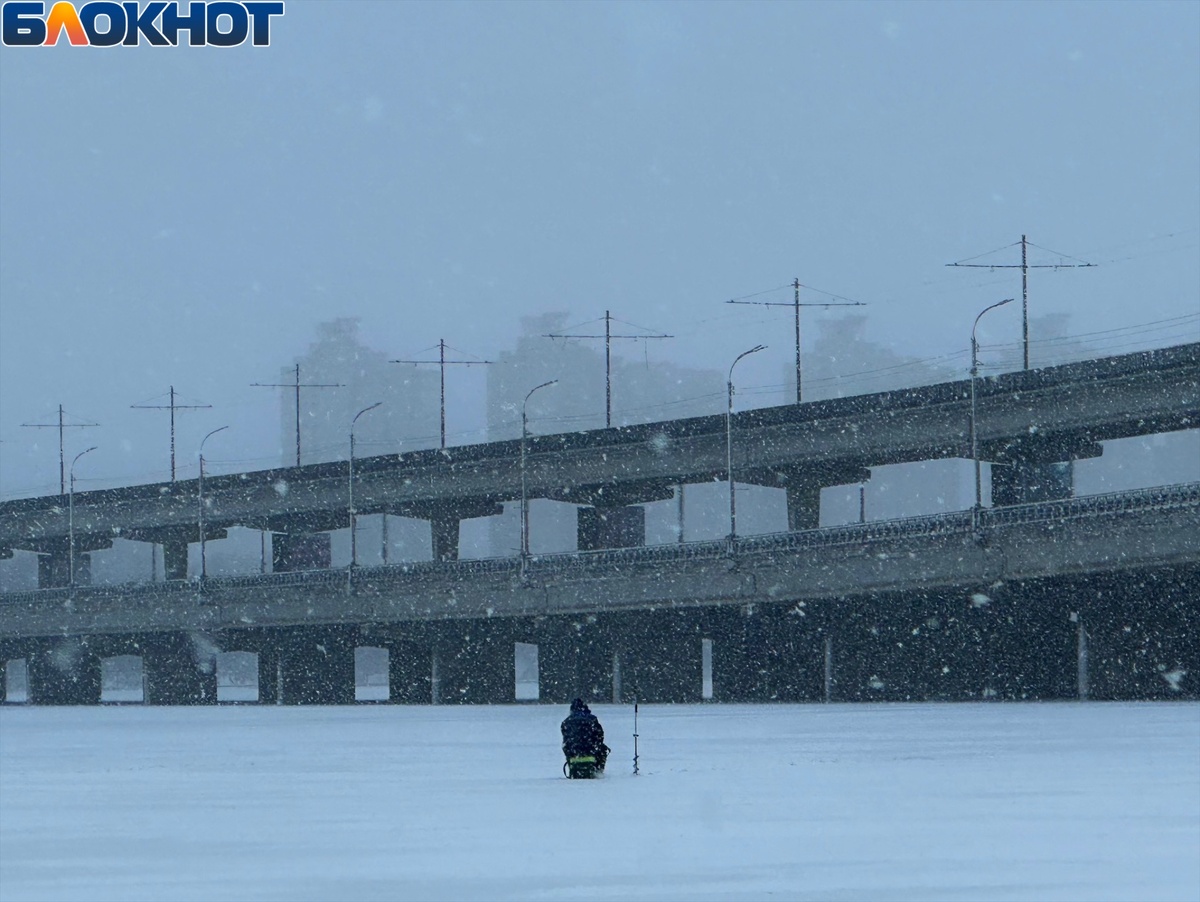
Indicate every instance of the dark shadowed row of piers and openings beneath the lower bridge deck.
{"type": "Point", "coordinates": [1131, 635]}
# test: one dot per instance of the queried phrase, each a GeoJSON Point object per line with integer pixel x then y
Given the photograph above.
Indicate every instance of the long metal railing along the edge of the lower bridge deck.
{"type": "Point", "coordinates": [855, 534]}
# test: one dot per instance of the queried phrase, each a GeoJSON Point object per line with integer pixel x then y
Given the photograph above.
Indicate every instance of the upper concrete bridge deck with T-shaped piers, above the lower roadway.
{"type": "Point", "coordinates": [1034, 423]}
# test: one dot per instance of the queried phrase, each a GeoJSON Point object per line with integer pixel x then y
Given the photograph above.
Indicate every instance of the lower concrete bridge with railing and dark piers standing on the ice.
{"type": "Point", "coordinates": [1079, 598]}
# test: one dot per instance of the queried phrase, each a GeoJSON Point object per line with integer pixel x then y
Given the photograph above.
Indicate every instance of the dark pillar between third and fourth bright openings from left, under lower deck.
{"type": "Point", "coordinates": [317, 665]}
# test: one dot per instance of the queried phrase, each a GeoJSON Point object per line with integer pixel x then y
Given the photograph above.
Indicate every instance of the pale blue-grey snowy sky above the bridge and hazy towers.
{"type": "Point", "coordinates": [188, 215]}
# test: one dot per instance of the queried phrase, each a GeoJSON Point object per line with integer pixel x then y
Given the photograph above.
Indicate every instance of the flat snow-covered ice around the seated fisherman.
{"type": "Point", "coordinates": [914, 802]}
